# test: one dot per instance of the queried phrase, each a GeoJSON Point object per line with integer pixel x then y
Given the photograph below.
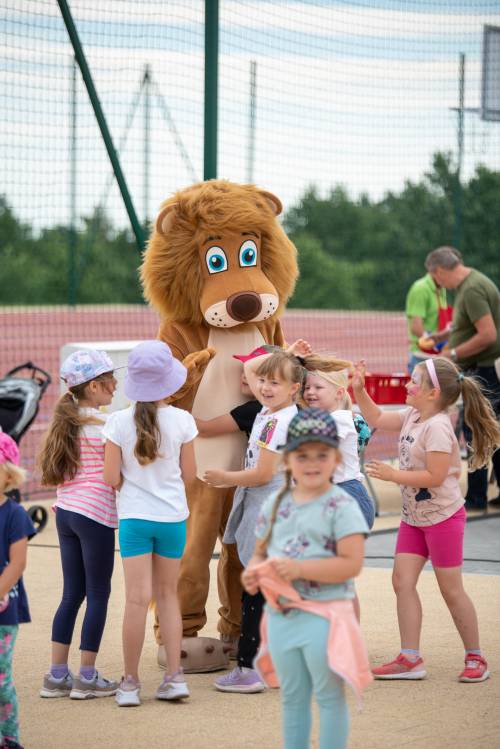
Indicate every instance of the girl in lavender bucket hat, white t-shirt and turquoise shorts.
{"type": "Point", "coordinates": [149, 455]}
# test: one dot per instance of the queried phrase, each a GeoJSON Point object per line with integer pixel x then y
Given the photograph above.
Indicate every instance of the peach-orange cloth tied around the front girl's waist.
{"type": "Point", "coordinates": [346, 650]}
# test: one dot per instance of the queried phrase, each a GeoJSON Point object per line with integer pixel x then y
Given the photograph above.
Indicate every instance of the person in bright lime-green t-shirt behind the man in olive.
{"type": "Point", "coordinates": [423, 301]}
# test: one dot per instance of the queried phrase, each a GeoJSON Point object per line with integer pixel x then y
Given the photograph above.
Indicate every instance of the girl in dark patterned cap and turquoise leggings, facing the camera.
{"type": "Point", "coordinates": [311, 535]}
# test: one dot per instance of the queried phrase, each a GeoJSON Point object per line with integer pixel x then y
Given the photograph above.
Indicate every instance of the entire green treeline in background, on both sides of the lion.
{"type": "Point", "coordinates": [353, 253]}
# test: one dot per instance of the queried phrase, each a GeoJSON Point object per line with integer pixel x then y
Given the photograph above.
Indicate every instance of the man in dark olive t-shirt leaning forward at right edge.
{"type": "Point", "coordinates": [474, 344]}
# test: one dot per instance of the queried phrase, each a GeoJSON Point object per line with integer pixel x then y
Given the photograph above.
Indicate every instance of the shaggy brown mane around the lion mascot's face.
{"type": "Point", "coordinates": [171, 273]}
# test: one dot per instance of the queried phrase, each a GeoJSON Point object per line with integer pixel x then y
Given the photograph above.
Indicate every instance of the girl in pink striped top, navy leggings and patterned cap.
{"type": "Point", "coordinates": [72, 459]}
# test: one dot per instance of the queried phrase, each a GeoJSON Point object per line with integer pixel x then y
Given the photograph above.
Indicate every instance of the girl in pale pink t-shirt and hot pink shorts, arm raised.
{"type": "Point", "coordinates": [434, 517]}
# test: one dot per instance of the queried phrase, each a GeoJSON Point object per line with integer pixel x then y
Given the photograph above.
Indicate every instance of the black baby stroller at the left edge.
{"type": "Point", "coordinates": [19, 402]}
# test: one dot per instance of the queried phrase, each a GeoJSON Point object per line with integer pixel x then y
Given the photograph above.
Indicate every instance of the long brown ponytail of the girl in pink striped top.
{"type": "Point", "coordinates": [59, 456]}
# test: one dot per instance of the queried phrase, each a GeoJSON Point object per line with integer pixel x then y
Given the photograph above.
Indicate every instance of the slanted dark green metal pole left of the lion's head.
{"type": "Point", "coordinates": [101, 121]}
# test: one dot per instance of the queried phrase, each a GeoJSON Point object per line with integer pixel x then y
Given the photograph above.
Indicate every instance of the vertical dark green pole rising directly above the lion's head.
{"type": "Point", "coordinates": [211, 88]}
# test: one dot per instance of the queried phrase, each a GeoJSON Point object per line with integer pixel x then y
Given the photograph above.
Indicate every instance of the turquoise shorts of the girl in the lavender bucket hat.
{"type": "Point", "coordinates": [151, 537]}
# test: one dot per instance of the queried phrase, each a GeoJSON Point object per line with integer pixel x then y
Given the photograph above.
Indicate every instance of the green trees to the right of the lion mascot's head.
{"type": "Point", "coordinates": [362, 254]}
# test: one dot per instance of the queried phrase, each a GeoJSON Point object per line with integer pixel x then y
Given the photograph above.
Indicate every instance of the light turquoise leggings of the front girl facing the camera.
{"type": "Point", "coordinates": [297, 643]}
